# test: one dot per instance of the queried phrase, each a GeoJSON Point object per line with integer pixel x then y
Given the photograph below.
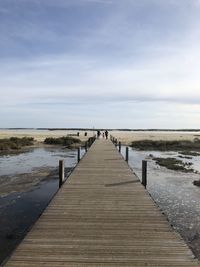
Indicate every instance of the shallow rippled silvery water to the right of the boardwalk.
{"type": "Point", "coordinates": [174, 192]}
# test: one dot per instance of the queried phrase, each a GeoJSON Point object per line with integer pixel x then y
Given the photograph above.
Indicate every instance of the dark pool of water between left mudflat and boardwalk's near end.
{"type": "Point", "coordinates": [18, 213]}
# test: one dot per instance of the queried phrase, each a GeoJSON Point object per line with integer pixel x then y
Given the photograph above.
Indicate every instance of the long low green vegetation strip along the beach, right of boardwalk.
{"type": "Point", "coordinates": [161, 145]}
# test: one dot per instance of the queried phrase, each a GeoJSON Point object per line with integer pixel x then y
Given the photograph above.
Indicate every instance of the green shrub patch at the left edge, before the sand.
{"type": "Point", "coordinates": [15, 143]}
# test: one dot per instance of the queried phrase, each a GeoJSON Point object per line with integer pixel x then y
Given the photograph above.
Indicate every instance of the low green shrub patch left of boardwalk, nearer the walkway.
{"type": "Point", "coordinates": [64, 141]}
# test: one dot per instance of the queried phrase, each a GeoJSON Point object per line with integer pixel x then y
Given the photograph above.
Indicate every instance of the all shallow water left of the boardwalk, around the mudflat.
{"type": "Point", "coordinates": [19, 211]}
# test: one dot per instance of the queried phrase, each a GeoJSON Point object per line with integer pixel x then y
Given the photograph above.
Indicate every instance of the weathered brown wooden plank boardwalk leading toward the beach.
{"type": "Point", "coordinates": [102, 216]}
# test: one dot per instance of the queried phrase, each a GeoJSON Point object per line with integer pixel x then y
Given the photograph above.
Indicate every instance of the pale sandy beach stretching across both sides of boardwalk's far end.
{"type": "Point", "coordinates": [126, 137]}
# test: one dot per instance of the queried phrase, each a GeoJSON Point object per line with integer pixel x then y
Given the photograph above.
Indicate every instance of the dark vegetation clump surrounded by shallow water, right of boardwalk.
{"type": "Point", "coordinates": [174, 164]}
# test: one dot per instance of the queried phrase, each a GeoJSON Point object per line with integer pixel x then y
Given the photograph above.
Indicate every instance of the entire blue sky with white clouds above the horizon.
{"type": "Point", "coordinates": [100, 63]}
